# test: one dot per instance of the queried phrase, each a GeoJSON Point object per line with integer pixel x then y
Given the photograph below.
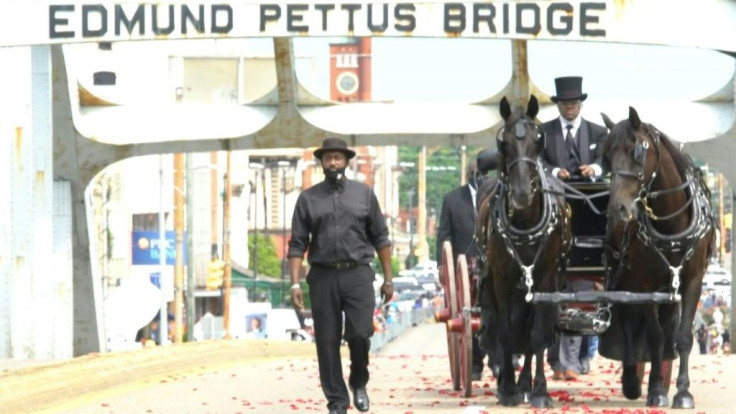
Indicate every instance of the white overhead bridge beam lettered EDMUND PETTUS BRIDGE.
{"type": "Point", "coordinates": [696, 23]}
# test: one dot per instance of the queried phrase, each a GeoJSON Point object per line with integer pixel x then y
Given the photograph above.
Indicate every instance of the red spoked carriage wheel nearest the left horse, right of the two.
{"type": "Point", "coordinates": [465, 337]}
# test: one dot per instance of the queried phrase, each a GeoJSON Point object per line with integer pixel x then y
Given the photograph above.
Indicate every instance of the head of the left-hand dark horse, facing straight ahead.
{"type": "Point", "coordinates": [520, 143]}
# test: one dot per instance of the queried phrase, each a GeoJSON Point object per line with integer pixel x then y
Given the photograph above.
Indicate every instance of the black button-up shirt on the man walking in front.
{"type": "Point", "coordinates": [345, 224]}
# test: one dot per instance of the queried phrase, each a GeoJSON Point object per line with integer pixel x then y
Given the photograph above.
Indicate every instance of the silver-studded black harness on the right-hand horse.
{"type": "Point", "coordinates": [663, 244]}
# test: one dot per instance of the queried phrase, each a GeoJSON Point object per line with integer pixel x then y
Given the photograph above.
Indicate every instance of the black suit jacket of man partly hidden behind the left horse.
{"type": "Point", "coordinates": [457, 222]}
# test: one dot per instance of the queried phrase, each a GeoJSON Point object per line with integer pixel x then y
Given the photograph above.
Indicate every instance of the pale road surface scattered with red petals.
{"type": "Point", "coordinates": [410, 375]}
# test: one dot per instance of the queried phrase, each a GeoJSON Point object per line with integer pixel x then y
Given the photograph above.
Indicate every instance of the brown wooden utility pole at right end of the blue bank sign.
{"type": "Point", "coordinates": [179, 227]}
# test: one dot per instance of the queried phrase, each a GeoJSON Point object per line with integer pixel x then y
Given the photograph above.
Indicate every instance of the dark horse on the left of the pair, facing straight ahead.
{"type": "Point", "coordinates": [524, 230]}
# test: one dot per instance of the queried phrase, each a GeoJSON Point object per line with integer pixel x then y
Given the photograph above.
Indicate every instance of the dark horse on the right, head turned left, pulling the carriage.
{"type": "Point", "coordinates": [660, 236]}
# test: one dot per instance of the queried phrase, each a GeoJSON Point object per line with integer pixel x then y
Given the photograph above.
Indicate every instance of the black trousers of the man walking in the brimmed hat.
{"type": "Point", "coordinates": [333, 293]}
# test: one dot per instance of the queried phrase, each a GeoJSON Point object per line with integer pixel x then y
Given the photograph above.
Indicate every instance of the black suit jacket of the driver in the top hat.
{"type": "Point", "coordinates": [590, 138]}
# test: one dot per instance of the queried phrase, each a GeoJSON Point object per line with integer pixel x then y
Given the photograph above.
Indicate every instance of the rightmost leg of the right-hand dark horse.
{"type": "Point", "coordinates": [684, 344]}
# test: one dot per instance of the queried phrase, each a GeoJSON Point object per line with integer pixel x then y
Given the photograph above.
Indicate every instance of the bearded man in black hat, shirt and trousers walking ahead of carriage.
{"type": "Point", "coordinates": [339, 223]}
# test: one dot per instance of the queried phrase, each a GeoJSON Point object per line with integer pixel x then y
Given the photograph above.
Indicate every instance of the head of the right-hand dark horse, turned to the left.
{"type": "Point", "coordinates": [631, 153]}
